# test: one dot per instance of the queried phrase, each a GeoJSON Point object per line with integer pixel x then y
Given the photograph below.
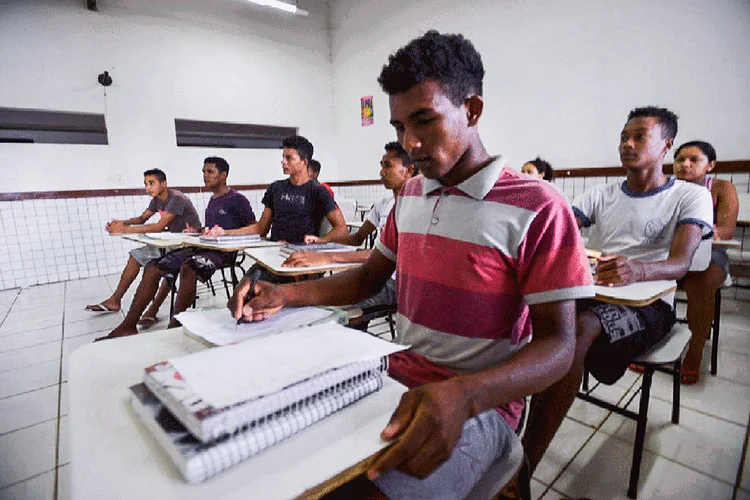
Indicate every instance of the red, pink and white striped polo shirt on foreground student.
{"type": "Point", "coordinates": [471, 259]}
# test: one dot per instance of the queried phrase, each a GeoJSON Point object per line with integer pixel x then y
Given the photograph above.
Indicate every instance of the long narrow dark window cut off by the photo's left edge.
{"type": "Point", "coordinates": [52, 127]}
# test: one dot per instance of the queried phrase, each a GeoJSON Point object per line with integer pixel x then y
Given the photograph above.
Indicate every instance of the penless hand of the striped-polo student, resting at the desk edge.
{"type": "Point", "coordinates": [428, 422]}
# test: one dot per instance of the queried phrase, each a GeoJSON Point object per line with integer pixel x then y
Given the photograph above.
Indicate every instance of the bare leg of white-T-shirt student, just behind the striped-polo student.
{"type": "Point", "coordinates": [549, 407]}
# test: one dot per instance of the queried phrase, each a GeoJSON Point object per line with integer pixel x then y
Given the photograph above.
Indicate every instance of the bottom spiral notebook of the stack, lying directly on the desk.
{"type": "Point", "coordinates": [198, 461]}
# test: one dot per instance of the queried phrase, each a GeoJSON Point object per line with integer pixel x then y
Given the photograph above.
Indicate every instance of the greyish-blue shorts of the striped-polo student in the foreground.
{"type": "Point", "coordinates": [485, 440]}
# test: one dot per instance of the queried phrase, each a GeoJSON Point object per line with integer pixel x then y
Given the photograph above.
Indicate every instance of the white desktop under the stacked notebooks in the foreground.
{"type": "Point", "coordinates": [113, 456]}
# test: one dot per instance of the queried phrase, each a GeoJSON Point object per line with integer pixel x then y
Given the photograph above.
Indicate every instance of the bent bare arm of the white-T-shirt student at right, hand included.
{"type": "Point", "coordinates": [616, 270]}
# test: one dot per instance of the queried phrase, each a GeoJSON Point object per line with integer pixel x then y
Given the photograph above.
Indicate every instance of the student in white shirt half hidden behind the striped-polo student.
{"type": "Point", "coordinates": [396, 168]}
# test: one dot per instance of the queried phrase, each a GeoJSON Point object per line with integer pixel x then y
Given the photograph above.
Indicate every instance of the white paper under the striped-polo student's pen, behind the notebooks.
{"type": "Point", "coordinates": [218, 327]}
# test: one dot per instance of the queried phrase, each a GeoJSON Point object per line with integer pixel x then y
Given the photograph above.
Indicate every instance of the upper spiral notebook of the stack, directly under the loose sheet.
{"type": "Point", "coordinates": [207, 422]}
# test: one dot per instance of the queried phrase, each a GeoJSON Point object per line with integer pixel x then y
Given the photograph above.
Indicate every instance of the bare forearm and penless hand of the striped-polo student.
{"type": "Point", "coordinates": [429, 419]}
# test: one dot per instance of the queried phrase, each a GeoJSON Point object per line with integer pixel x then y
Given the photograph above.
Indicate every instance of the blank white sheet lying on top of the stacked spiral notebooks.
{"type": "Point", "coordinates": [232, 374]}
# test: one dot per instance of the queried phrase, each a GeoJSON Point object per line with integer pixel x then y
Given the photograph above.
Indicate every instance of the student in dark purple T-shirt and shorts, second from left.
{"type": "Point", "coordinates": [227, 208]}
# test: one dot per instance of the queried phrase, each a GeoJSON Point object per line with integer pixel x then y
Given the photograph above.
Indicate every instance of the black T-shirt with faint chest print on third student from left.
{"type": "Point", "coordinates": [297, 210]}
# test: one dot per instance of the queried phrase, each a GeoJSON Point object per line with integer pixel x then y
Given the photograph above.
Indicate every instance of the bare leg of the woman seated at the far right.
{"type": "Point", "coordinates": [700, 288]}
